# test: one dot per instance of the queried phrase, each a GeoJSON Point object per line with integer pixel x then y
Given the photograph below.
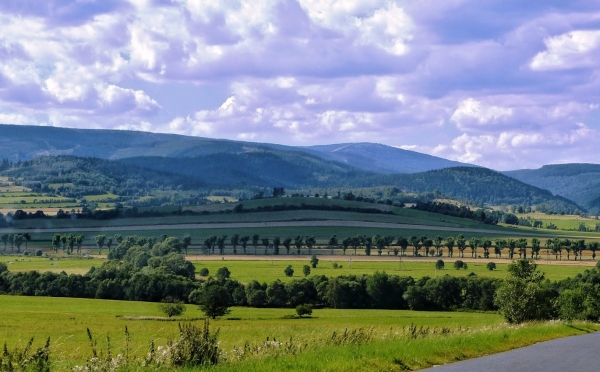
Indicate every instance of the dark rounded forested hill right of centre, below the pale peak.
{"type": "Point", "coordinates": [484, 186]}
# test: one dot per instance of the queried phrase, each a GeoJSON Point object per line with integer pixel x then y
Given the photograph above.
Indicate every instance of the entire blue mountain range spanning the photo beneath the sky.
{"type": "Point", "coordinates": [235, 164]}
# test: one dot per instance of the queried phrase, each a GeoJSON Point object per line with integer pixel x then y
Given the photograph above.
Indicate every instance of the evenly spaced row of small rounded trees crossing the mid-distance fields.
{"type": "Point", "coordinates": [421, 245]}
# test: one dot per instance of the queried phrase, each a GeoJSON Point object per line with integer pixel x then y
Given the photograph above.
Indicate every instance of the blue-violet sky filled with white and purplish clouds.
{"type": "Point", "coordinates": [506, 84]}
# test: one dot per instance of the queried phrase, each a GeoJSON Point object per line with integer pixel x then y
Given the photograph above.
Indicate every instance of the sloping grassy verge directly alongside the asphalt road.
{"type": "Point", "coordinates": [408, 353]}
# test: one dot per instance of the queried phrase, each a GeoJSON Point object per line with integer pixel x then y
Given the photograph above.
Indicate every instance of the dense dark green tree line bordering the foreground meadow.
{"type": "Point", "coordinates": [144, 269]}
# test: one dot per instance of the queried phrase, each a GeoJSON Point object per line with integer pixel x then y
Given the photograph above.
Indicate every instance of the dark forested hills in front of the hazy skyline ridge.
{"type": "Point", "coordinates": [249, 172]}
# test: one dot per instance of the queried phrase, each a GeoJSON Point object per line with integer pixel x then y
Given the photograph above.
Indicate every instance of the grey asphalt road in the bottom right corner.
{"type": "Point", "coordinates": [576, 353]}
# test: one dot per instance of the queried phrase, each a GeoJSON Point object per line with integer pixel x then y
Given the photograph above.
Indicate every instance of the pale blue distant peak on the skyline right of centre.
{"type": "Point", "coordinates": [381, 158]}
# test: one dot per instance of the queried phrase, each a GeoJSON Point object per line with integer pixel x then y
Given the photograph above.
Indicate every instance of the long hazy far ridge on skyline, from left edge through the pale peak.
{"type": "Point", "coordinates": [27, 142]}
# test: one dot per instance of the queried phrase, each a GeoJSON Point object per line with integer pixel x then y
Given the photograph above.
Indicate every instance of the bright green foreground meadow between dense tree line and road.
{"type": "Point", "coordinates": [65, 321]}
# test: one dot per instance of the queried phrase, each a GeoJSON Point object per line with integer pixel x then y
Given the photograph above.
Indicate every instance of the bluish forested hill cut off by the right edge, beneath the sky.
{"type": "Point", "coordinates": [578, 182]}
